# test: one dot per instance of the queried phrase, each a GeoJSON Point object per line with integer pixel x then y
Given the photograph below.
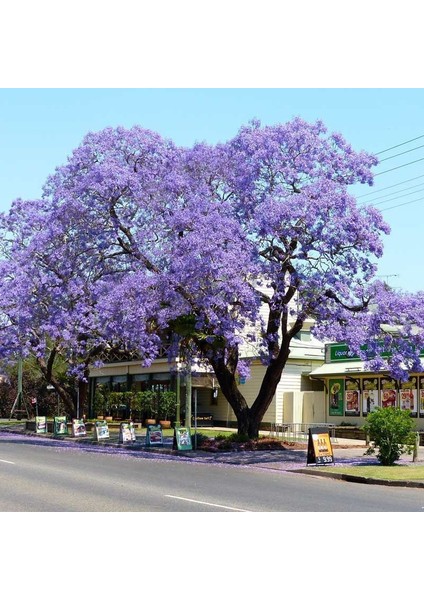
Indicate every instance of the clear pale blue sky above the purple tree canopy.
{"type": "Point", "coordinates": [39, 128]}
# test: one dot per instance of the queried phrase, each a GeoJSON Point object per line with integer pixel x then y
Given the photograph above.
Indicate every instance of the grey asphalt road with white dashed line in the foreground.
{"type": "Point", "coordinates": [55, 476]}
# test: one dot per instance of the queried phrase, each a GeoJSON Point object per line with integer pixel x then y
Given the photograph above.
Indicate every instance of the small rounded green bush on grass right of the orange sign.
{"type": "Point", "coordinates": [391, 432]}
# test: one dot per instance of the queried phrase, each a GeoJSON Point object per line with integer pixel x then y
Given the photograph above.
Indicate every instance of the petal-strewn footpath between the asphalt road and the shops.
{"type": "Point", "coordinates": [346, 452]}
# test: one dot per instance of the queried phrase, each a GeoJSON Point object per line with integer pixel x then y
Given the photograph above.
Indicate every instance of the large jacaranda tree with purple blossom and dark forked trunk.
{"type": "Point", "coordinates": [214, 247]}
